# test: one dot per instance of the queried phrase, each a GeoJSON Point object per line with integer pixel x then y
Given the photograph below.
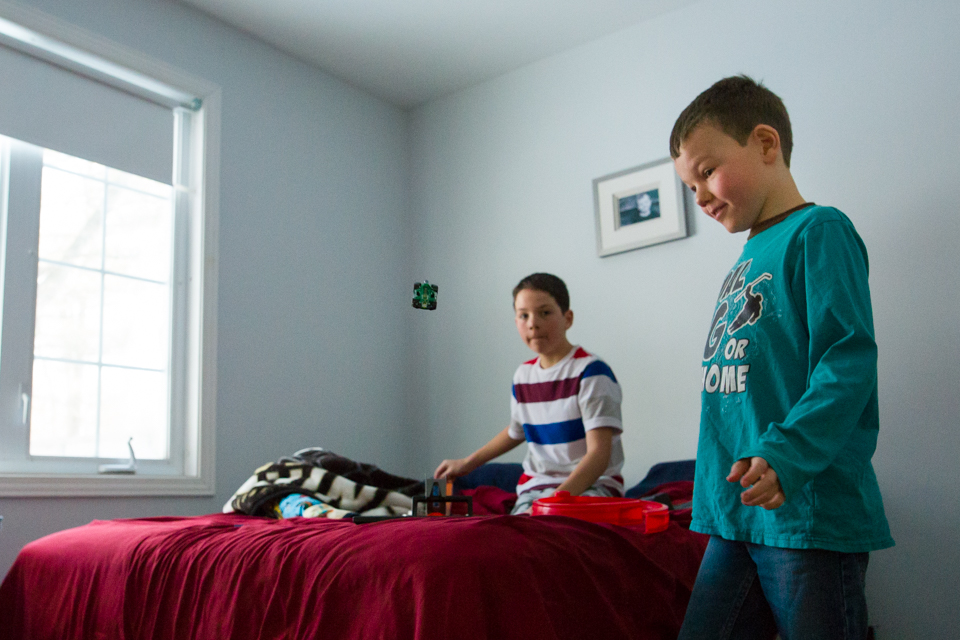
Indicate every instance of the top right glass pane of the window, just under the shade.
{"type": "Point", "coordinates": [138, 234]}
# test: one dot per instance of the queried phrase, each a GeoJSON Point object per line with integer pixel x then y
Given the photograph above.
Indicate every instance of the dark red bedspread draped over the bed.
{"type": "Point", "coordinates": [231, 576]}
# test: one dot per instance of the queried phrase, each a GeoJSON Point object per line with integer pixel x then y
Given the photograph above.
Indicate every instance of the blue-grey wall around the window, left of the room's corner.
{"type": "Point", "coordinates": [314, 284]}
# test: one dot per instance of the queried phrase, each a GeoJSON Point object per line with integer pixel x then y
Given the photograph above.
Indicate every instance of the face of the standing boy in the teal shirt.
{"type": "Point", "coordinates": [726, 178]}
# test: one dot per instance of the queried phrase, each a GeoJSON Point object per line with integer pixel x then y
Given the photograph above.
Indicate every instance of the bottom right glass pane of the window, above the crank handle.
{"type": "Point", "coordinates": [133, 404]}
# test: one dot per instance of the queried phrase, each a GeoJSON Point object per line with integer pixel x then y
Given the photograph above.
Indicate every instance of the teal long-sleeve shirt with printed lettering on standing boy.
{"type": "Point", "coordinates": [790, 375]}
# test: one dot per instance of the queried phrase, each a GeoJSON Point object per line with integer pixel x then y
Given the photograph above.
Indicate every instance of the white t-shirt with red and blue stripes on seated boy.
{"type": "Point", "coordinates": [552, 409]}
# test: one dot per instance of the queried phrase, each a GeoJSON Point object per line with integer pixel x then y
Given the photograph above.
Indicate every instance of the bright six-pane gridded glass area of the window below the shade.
{"type": "Point", "coordinates": [102, 339]}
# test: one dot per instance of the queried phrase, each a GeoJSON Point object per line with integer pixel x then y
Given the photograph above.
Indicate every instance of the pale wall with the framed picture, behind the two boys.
{"type": "Point", "coordinates": [502, 187]}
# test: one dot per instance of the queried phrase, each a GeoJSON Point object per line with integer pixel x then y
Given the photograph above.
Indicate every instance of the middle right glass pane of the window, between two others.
{"type": "Point", "coordinates": [135, 321]}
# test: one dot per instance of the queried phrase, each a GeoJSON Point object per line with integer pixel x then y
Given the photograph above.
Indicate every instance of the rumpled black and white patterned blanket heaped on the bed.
{"type": "Point", "coordinates": [344, 486]}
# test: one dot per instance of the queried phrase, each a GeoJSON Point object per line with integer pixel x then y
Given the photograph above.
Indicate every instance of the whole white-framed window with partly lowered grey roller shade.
{"type": "Point", "coordinates": [107, 268]}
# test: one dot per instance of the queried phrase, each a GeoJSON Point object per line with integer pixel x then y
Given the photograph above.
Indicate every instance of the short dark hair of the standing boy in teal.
{"type": "Point", "coordinates": [736, 105]}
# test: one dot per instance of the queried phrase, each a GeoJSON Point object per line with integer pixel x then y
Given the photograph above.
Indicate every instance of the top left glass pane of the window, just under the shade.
{"type": "Point", "coordinates": [71, 210]}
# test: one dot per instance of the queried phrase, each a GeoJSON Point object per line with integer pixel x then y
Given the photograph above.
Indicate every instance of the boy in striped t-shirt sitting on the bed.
{"type": "Point", "coordinates": [565, 402]}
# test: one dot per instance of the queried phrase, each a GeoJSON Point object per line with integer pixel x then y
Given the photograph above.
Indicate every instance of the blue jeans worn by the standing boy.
{"type": "Point", "coordinates": [750, 591]}
